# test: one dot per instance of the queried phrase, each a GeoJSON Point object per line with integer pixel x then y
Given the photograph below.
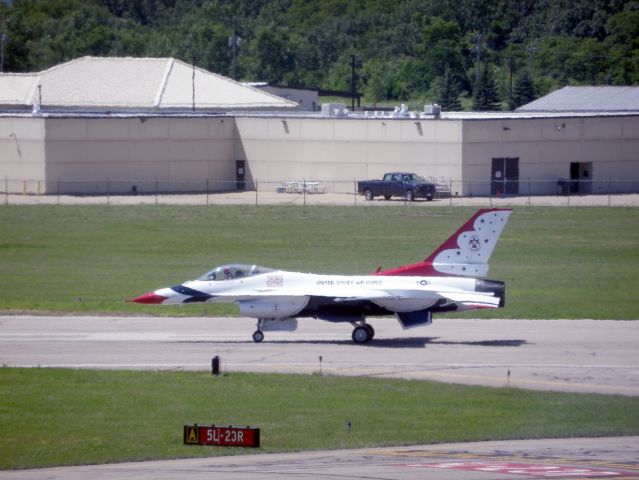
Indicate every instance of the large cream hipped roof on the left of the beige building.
{"type": "Point", "coordinates": [126, 84]}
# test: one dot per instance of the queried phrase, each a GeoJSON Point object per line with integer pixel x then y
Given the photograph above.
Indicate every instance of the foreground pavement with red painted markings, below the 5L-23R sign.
{"type": "Point", "coordinates": [536, 459]}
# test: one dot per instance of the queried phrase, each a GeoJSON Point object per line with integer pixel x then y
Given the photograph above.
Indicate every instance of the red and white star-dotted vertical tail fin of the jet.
{"type": "Point", "coordinates": [466, 252]}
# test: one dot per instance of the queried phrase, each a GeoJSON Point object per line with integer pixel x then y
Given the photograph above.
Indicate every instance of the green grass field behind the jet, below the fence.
{"type": "Point", "coordinates": [557, 262]}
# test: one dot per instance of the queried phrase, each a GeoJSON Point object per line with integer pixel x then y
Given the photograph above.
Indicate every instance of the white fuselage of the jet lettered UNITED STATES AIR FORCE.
{"type": "Point", "coordinates": [280, 294]}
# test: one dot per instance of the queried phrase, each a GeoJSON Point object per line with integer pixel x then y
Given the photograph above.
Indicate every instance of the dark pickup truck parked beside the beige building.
{"type": "Point", "coordinates": [397, 184]}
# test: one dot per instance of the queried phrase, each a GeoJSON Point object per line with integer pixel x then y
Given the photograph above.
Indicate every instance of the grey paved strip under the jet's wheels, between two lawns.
{"type": "Point", "coordinates": [562, 355]}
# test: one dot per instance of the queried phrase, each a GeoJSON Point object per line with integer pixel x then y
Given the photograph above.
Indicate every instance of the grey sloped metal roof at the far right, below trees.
{"type": "Point", "coordinates": [586, 99]}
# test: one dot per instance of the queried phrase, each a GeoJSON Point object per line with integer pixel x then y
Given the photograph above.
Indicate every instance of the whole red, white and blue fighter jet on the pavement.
{"type": "Point", "coordinates": [444, 282]}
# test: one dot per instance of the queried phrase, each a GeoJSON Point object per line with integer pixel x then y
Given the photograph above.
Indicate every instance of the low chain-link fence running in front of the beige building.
{"type": "Point", "coordinates": [315, 192]}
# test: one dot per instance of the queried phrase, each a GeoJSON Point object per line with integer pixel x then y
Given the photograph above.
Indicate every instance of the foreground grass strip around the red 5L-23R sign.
{"type": "Point", "coordinates": [69, 417]}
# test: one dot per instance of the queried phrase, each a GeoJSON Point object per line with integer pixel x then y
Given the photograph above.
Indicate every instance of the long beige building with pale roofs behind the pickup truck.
{"type": "Point", "coordinates": [122, 125]}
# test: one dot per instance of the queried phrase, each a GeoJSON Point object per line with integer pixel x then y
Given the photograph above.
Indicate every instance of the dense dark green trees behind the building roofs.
{"type": "Point", "coordinates": [488, 54]}
